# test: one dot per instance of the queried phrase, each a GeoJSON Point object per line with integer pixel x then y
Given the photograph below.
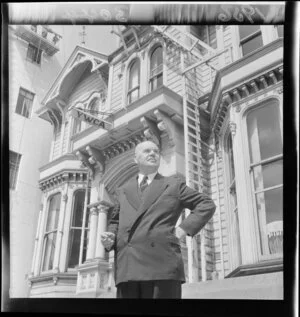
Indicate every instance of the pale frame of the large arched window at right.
{"type": "Point", "coordinates": [249, 168]}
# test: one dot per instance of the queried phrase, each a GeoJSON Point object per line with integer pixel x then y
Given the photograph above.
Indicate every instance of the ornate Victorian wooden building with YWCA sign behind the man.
{"type": "Point", "coordinates": [211, 97]}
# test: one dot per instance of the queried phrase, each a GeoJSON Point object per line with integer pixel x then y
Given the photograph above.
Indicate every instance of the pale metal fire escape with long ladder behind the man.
{"type": "Point", "coordinates": [194, 54]}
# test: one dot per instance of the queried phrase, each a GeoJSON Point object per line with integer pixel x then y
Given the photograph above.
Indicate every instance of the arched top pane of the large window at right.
{"type": "Point", "coordinates": [264, 132]}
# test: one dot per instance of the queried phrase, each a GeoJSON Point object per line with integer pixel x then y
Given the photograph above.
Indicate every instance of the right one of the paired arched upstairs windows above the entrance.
{"type": "Point", "coordinates": [156, 68]}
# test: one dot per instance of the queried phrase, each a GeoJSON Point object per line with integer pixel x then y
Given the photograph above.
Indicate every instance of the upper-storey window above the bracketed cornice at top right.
{"type": "Point", "coordinates": [250, 38]}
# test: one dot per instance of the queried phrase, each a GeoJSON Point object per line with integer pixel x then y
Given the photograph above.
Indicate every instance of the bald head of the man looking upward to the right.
{"type": "Point", "coordinates": [147, 156]}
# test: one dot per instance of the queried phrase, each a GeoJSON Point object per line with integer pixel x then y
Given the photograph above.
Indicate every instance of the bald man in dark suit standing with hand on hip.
{"type": "Point", "coordinates": [148, 260]}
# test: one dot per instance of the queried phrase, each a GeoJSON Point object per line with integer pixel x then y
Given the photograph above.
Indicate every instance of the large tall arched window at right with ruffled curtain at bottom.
{"type": "Point", "coordinates": [266, 168]}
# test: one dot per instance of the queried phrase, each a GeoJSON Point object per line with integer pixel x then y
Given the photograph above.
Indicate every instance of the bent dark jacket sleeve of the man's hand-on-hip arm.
{"type": "Point", "coordinates": [201, 206]}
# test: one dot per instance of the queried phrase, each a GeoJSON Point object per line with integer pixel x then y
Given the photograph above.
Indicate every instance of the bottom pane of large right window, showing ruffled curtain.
{"type": "Point", "coordinates": [270, 215]}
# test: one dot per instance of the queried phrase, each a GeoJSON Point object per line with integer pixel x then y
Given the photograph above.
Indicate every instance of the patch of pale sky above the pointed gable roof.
{"type": "Point", "coordinates": [98, 38]}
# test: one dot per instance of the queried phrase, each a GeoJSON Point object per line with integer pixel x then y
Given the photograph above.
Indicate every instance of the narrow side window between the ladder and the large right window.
{"type": "Point", "coordinates": [232, 205]}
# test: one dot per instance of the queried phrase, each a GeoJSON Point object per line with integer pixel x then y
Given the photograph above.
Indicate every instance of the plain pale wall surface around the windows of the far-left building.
{"type": "Point", "coordinates": [30, 137]}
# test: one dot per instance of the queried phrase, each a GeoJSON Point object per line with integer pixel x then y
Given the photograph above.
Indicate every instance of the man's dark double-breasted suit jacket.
{"type": "Point", "coordinates": [146, 247]}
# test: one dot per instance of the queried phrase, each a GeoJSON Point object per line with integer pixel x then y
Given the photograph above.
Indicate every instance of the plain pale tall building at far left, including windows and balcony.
{"type": "Point", "coordinates": [33, 63]}
